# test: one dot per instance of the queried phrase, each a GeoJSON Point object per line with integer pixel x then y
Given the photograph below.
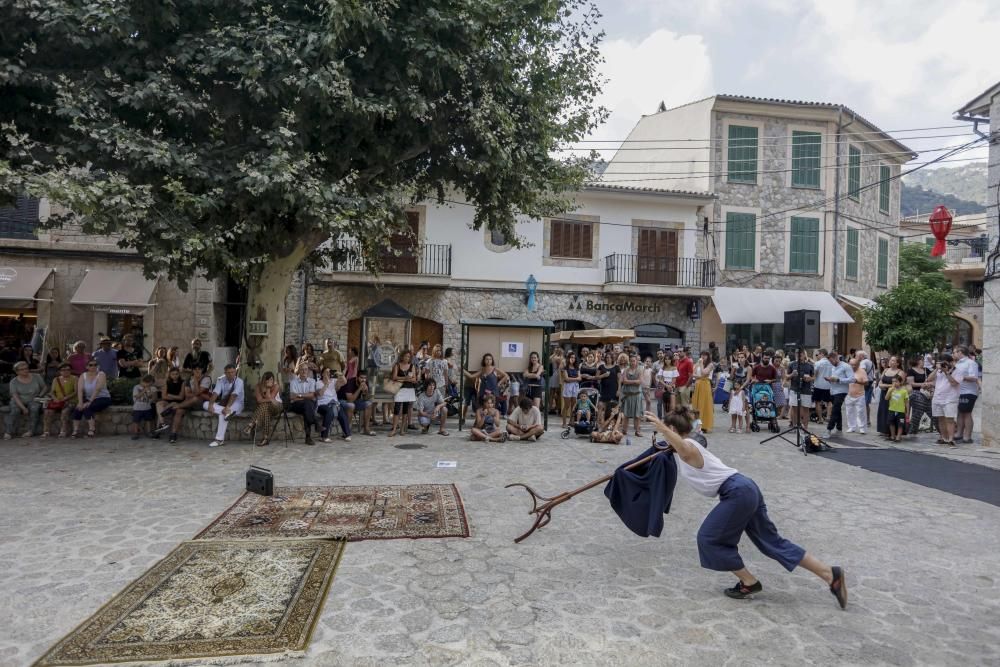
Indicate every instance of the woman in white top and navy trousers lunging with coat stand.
{"type": "Point", "coordinates": [741, 509]}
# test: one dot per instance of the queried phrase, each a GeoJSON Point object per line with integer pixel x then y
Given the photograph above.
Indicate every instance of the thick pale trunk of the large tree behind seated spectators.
{"type": "Point", "coordinates": [267, 298]}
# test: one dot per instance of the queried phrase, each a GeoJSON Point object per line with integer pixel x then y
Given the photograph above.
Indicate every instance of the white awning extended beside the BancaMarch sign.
{"type": "Point", "coordinates": [741, 305]}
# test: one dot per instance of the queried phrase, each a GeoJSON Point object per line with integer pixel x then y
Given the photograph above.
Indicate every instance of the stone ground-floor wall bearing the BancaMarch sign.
{"type": "Point", "coordinates": [332, 305]}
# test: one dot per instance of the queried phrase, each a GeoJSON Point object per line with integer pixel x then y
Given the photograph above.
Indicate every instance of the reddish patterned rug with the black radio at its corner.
{"type": "Point", "coordinates": [347, 512]}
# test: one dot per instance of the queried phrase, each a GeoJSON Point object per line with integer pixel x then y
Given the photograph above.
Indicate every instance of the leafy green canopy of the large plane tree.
{"type": "Point", "coordinates": [216, 136]}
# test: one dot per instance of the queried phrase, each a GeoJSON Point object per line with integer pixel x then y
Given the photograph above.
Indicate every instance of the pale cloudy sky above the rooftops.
{"type": "Point", "coordinates": [901, 64]}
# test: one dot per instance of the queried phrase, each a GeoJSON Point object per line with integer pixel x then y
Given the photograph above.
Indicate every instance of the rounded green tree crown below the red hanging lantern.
{"type": "Point", "coordinates": [911, 318]}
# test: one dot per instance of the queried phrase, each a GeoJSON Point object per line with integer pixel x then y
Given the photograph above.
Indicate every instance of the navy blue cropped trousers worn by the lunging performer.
{"type": "Point", "coordinates": [741, 509]}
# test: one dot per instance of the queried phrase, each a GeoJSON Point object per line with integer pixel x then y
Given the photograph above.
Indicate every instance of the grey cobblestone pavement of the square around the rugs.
{"type": "Point", "coordinates": [82, 519]}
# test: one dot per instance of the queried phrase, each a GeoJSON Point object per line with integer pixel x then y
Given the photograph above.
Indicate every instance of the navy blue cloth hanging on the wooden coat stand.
{"type": "Point", "coordinates": [641, 497]}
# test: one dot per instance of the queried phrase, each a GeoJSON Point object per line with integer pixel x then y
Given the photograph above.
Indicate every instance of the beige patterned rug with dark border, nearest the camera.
{"type": "Point", "coordinates": [210, 603]}
